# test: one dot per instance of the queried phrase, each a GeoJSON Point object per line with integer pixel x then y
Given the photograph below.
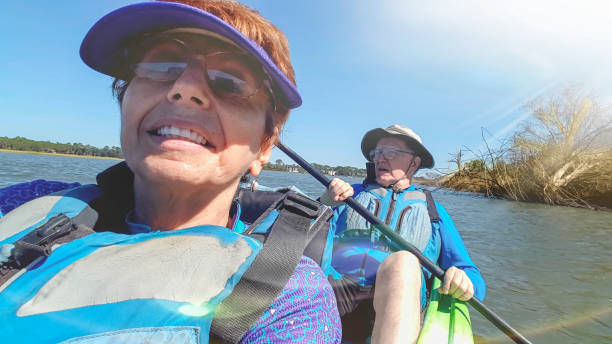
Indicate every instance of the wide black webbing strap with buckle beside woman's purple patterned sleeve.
{"type": "Point", "coordinates": [270, 271]}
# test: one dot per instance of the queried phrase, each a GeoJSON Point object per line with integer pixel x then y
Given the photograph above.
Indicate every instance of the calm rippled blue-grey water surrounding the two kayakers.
{"type": "Point", "coordinates": [548, 269]}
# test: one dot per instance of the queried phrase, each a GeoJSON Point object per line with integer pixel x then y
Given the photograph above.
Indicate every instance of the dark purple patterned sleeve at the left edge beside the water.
{"type": "Point", "coordinates": [15, 195]}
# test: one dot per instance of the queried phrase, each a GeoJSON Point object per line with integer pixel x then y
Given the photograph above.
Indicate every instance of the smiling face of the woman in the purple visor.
{"type": "Point", "coordinates": [182, 131]}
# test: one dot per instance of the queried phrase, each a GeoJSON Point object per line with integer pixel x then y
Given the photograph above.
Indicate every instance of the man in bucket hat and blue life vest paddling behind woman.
{"type": "Point", "coordinates": [370, 279]}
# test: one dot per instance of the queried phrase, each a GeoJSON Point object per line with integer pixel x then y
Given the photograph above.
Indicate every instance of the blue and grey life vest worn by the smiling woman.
{"type": "Point", "coordinates": [69, 278]}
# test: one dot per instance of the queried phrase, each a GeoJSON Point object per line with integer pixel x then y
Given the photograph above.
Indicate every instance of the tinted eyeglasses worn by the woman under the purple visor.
{"type": "Point", "coordinates": [230, 74]}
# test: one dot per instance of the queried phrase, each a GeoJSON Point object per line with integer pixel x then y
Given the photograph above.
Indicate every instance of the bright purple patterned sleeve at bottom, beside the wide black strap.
{"type": "Point", "coordinates": [304, 312]}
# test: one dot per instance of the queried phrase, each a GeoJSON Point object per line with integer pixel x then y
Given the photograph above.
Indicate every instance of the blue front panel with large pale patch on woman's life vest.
{"type": "Point", "coordinates": [107, 282]}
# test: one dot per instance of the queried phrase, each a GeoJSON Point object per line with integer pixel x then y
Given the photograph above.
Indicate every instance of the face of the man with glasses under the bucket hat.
{"type": "Point", "coordinates": [403, 166]}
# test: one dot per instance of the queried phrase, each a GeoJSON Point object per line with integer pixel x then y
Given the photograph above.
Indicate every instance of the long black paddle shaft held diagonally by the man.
{"type": "Point", "coordinates": [396, 238]}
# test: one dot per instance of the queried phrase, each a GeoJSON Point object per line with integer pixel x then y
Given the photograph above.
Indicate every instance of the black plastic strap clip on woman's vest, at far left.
{"type": "Point", "coordinates": [38, 242]}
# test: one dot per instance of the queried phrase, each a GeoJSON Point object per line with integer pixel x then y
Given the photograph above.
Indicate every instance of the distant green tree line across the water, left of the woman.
{"type": "Point", "coordinates": [23, 144]}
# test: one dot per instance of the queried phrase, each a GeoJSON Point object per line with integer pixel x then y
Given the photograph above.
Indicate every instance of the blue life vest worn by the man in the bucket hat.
{"type": "Point", "coordinates": [359, 248]}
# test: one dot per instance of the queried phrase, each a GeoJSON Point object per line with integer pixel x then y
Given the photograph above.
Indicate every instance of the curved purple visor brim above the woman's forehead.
{"type": "Point", "coordinates": [102, 47]}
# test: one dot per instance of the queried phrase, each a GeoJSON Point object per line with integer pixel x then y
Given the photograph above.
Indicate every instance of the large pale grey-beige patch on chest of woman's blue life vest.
{"type": "Point", "coordinates": [125, 265]}
